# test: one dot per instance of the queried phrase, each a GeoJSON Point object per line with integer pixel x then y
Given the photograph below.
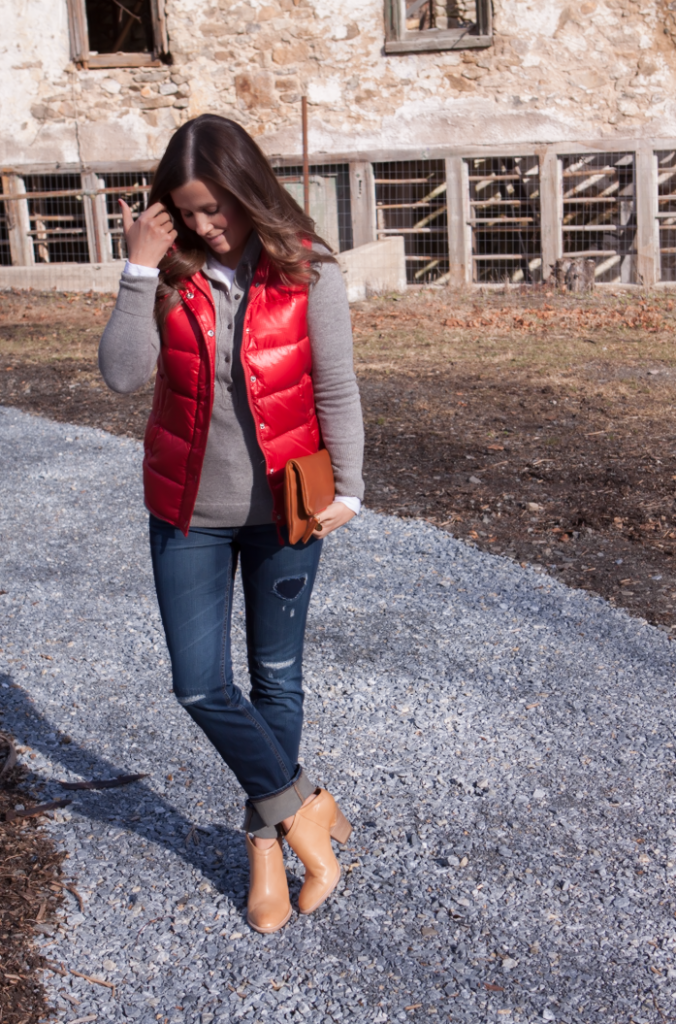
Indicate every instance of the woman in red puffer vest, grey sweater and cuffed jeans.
{"type": "Point", "coordinates": [250, 330]}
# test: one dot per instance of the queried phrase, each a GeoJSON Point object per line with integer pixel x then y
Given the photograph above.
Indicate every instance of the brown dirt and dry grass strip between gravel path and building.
{"type": "Point", "coordinates": [535, 425]}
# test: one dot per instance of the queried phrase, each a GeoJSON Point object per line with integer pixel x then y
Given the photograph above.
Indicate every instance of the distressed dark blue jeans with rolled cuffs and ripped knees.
{"type": "Point", "coordinates": [259, 738]}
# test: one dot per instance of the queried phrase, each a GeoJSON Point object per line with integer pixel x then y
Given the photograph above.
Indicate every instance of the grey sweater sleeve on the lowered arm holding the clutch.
{"type": "Point", "coordinates": [336, 392]}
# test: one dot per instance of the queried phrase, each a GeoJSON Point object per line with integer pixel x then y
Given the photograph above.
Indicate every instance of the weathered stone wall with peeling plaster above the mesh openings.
{"type": "Point", "coordinates": [559, 70]}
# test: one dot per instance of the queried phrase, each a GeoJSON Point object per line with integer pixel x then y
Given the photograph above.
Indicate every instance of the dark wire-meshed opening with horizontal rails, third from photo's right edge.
{"type": "Point", "coordinates": [504, 207]}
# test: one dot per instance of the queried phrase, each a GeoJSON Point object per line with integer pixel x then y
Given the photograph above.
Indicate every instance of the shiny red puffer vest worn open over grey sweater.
{"type": "Point", "coordinates": [277, 362]}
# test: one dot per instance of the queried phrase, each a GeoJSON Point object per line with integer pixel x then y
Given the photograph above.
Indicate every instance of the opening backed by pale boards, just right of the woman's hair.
{"type": "Point", "coordinates": [330, 205]}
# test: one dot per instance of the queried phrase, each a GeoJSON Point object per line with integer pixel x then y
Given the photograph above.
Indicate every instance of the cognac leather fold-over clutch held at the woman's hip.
{"type": "Point", "coordinates": [309, 489]}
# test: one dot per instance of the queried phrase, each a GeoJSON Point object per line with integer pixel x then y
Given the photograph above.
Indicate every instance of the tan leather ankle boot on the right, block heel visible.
{"type": "Point", "coordinates": [310, 838]}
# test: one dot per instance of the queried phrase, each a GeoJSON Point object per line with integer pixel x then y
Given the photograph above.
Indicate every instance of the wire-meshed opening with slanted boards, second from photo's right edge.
{"type": "Point", "coordinates": [600, 217]}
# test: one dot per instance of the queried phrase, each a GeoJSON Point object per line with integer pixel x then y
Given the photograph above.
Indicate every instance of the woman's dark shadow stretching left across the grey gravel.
{"type": "Point", "coordinates": [218, 852]}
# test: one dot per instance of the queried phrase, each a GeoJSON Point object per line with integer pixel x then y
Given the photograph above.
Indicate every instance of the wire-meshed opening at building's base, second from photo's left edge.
{"type": "Point", "coordinates": [58, 219]}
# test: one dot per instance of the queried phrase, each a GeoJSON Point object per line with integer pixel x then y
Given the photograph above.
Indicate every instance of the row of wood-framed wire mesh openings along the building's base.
{"type": "Point", "coordinates": [464, 220]}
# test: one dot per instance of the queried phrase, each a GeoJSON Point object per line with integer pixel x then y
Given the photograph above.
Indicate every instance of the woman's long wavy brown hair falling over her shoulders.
{"type": "Point", "coordinates": [218, 150]}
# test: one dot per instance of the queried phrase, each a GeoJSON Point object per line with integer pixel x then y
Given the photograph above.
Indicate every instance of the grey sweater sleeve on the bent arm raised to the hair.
{"type": "Point", "coordinates": [131, 345]}
